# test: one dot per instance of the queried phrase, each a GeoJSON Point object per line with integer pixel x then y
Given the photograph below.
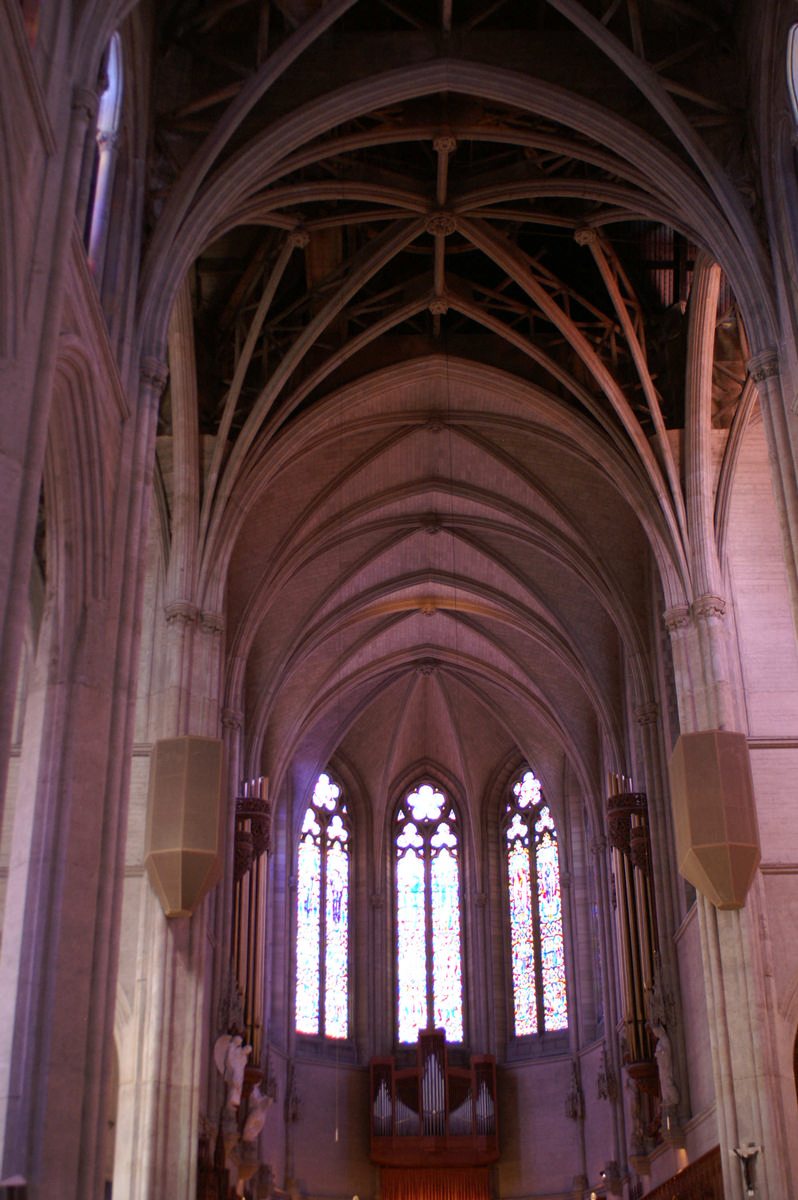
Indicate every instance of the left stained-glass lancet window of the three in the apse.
{"type": "Point", "coordinates": [323, 915]}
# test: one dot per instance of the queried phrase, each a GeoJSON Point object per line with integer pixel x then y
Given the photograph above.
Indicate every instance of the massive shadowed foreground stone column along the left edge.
{"type": "Point", "coordinates": [58, 969]}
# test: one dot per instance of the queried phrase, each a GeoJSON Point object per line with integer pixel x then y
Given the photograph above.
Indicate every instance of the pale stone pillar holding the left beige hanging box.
{"type": "Point", "coordinates": [172, 1022]}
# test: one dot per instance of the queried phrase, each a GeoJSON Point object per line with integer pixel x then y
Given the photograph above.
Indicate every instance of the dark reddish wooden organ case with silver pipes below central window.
{"type": "Point", "coordinates": [433, 1114]}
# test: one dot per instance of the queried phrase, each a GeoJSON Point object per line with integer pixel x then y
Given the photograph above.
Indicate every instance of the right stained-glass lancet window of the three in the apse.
{"type": "Point", "coordinates": [536, 911]}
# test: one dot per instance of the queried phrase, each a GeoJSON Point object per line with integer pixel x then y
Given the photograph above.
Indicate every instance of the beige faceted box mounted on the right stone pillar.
{"type": "Point", "coordinates": [715, 815]}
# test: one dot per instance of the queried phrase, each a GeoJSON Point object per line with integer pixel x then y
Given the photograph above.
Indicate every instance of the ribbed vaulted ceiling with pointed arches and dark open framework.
{"type": "Point", "coordinates": [437, 323]}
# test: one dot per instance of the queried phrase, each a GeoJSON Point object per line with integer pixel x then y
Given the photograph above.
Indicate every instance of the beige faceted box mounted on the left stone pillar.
{"type": "Point", "coordinates": [184, 851]}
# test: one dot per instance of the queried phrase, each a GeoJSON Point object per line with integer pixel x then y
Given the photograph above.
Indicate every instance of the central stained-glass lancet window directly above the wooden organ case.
{"type": "Point", "coordinates": [429, 964]}
